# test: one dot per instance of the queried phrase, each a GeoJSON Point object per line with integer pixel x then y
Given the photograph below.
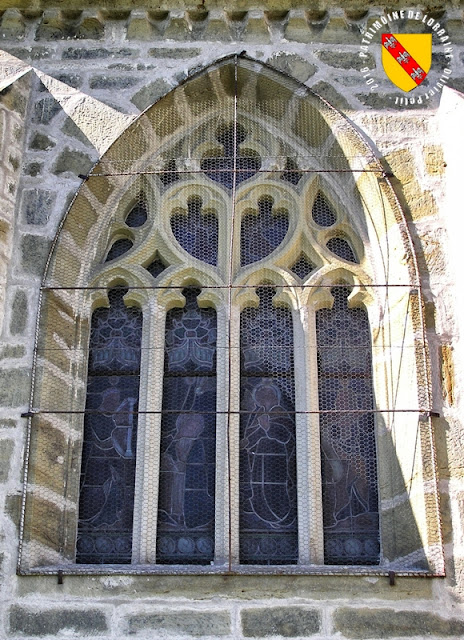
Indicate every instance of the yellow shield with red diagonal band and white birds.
{"type": "Point", "coordinates": [406, 58]}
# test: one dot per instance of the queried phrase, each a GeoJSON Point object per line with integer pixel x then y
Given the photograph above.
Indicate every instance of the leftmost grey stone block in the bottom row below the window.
{"type": "Point", "coordinates": [58, 621]}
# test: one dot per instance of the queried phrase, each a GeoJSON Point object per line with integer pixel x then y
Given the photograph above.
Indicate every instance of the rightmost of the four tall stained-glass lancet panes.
{"type": "Point", "coordinates": [349, 464]}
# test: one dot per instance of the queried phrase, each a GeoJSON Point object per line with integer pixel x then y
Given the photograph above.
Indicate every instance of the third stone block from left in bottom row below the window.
{"type": "Point", "coordinates": [288, 622]}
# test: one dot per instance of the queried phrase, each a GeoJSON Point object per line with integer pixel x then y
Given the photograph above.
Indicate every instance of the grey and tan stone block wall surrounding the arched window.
{"type": "Point", "coordinates": [85, 75]}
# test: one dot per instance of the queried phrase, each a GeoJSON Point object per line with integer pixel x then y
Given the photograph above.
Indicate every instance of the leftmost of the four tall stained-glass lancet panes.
{"type": "Point", "coordinates": [110, 433]}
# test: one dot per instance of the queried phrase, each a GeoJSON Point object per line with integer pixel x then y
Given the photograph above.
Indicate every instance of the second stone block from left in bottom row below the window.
{"type": "Point", "coordinates": [187, 623]}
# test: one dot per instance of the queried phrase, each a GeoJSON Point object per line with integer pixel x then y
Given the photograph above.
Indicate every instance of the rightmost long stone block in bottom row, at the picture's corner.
{"type": "Point", "coordinates": [386, 623]}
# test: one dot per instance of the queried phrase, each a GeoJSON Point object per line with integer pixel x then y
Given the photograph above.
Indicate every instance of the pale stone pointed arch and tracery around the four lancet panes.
{"type": "Point", "coordinates": [228, 136]}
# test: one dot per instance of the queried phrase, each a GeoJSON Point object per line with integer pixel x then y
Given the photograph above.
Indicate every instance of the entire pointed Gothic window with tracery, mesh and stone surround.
{"type": "Point", "coordinates": [230, 370]}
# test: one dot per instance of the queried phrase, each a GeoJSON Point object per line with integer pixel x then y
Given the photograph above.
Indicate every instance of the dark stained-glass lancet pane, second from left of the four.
{"type": "Point", "coordinates": [188, 436]}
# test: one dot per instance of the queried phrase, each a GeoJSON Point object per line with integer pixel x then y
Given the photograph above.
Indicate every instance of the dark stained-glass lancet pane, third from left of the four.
{"type": "Point", "coordinates": [267, 483]}
